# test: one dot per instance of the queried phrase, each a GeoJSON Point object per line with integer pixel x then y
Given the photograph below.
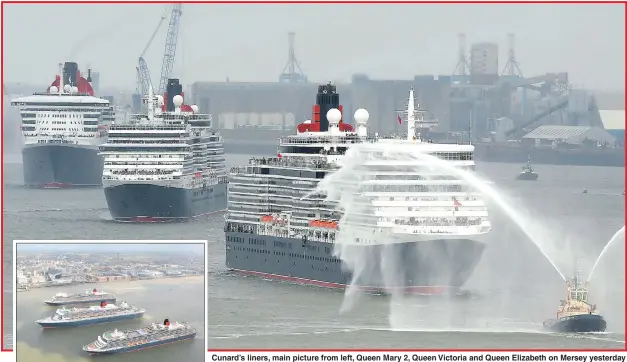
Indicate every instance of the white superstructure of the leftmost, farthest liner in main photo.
{"type": "Point", "coordinates": [64, 116]}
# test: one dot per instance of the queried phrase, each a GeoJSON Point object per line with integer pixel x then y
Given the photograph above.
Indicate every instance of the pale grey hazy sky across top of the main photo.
{"type": "Point", "coordinates": [249, 42]}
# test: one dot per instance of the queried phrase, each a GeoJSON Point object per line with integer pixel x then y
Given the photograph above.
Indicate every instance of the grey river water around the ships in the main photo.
{"type": "Point", "coordinates": [518, 289]}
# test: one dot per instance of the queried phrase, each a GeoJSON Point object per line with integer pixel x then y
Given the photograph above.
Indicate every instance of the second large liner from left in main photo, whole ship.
{"type": "Point", "coordinates": [166, 165]}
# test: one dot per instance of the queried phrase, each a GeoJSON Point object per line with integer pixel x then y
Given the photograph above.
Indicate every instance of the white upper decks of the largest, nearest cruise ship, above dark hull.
{"type": "Point", "coordinates": [405, 197]}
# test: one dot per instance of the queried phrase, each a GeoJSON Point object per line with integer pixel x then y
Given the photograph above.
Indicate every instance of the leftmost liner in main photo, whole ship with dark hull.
{"type": "Point", "coordinates": [62, 129]}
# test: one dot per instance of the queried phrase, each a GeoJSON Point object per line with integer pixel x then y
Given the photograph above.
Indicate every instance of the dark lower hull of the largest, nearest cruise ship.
{"type": "Point", "coordinates": [435, 266]}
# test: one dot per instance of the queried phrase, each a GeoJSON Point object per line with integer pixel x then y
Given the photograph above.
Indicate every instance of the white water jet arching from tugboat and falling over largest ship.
{"type": "Point", "coordinates": [344, 189]}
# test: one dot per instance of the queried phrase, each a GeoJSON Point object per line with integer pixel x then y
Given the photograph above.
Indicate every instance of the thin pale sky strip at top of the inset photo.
{"type": "Point", "coordinates": [174, 248]}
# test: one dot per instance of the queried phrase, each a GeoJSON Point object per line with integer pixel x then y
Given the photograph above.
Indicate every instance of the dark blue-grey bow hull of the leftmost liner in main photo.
{"type": "Point", "coordinates": [54, 166]}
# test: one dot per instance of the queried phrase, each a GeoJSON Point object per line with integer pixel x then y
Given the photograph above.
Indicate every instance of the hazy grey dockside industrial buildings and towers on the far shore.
{"type": "Point", "coordinates": [473, 100]}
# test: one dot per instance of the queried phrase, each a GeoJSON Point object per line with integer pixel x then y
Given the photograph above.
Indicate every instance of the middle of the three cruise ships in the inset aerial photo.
{"type": "Point", "coordinates": [105, 313]}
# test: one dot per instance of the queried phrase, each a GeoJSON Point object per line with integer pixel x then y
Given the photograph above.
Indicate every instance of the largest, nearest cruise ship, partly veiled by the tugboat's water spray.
{"type": "Point", "coordinates": [437, 225]}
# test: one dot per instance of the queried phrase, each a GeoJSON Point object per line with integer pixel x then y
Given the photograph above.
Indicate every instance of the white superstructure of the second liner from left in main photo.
{"type": "Point", "coordinates": [172, 149]}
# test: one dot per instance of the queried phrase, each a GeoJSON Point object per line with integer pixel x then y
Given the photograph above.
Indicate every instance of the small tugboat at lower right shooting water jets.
{"type": "Point", "coordinates": [575, 314]}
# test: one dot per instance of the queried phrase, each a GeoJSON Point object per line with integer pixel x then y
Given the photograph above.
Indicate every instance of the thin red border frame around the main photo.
{"type": "Point", "coordinates": [2, 349]}
